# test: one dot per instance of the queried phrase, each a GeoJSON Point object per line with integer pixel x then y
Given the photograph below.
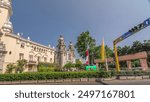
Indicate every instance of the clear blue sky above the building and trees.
{"type": "Point", "coordinates": [45, 20]}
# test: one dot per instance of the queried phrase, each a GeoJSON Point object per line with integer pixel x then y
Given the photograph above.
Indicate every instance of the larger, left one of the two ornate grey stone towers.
{"type": "Point", "coordinates": [61, 52]}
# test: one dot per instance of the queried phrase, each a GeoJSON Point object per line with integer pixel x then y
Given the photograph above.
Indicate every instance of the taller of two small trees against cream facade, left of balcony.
{"type": "Point", "coordinates": [20, 65]}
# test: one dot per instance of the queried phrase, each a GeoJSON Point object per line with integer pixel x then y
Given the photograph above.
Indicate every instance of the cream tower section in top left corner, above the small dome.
{"type": "Point", "coordinates": [5, 12]}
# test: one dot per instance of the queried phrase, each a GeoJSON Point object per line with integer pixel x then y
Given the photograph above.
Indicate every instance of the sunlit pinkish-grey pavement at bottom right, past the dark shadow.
{"type": "Point", "coordinates": [127, 82]}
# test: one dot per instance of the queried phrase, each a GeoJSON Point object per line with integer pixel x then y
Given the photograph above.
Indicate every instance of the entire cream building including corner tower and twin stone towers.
{"type": "Point", "coordinates": [13, 47]}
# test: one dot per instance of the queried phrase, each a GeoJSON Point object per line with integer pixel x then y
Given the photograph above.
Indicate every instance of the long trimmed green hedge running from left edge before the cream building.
{"type": "Point", "coordinates": [53, 75]}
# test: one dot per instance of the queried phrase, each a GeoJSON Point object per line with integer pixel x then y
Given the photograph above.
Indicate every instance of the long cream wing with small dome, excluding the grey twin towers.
{"type": "Point", "coordinates": [14, 48]}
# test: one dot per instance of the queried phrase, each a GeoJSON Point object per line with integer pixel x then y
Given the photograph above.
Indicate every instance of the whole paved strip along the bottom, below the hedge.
{"type": "Point", "coordinates": [109, 82]}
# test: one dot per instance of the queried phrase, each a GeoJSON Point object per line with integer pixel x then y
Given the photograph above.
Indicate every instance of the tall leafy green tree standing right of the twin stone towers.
{"type": "Point", "coordinates": [83, 42]}
